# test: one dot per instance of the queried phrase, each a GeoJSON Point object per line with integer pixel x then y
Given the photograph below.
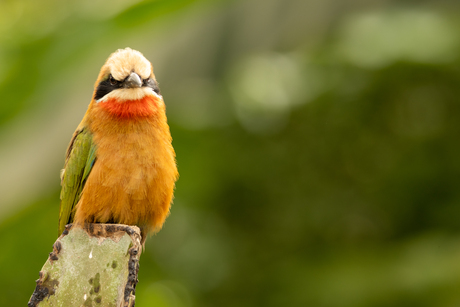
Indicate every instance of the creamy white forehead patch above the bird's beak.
{"type": "Point", "coordinates": [124, 61]}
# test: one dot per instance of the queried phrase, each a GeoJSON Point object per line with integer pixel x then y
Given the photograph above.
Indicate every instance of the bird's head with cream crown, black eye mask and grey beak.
{"type": "Point", "coordinates": [126, 77]}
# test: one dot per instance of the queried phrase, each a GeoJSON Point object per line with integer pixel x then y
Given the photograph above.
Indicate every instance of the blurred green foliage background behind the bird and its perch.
{"type": "Point", "coordinates": [317, 143]}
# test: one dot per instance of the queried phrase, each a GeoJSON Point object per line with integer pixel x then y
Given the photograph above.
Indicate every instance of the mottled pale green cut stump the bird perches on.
{"type": "Point", "coordinates": [94, 266]}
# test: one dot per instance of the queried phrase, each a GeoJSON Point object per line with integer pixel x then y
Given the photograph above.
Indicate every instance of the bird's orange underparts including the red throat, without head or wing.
{"type": "Point", "coordinates": [133, 178]}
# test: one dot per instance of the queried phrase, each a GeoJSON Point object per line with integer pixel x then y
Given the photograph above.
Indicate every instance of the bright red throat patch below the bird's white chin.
{"type": "Point", "coordinates": [143, 107]}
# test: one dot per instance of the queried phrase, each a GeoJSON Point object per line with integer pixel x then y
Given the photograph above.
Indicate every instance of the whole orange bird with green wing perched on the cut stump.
{"type": "Point", "coordinates": [120, 165]}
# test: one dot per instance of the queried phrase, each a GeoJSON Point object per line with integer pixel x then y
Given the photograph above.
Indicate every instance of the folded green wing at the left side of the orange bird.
{"type": "Point", "coordinates": [81, 156]}
